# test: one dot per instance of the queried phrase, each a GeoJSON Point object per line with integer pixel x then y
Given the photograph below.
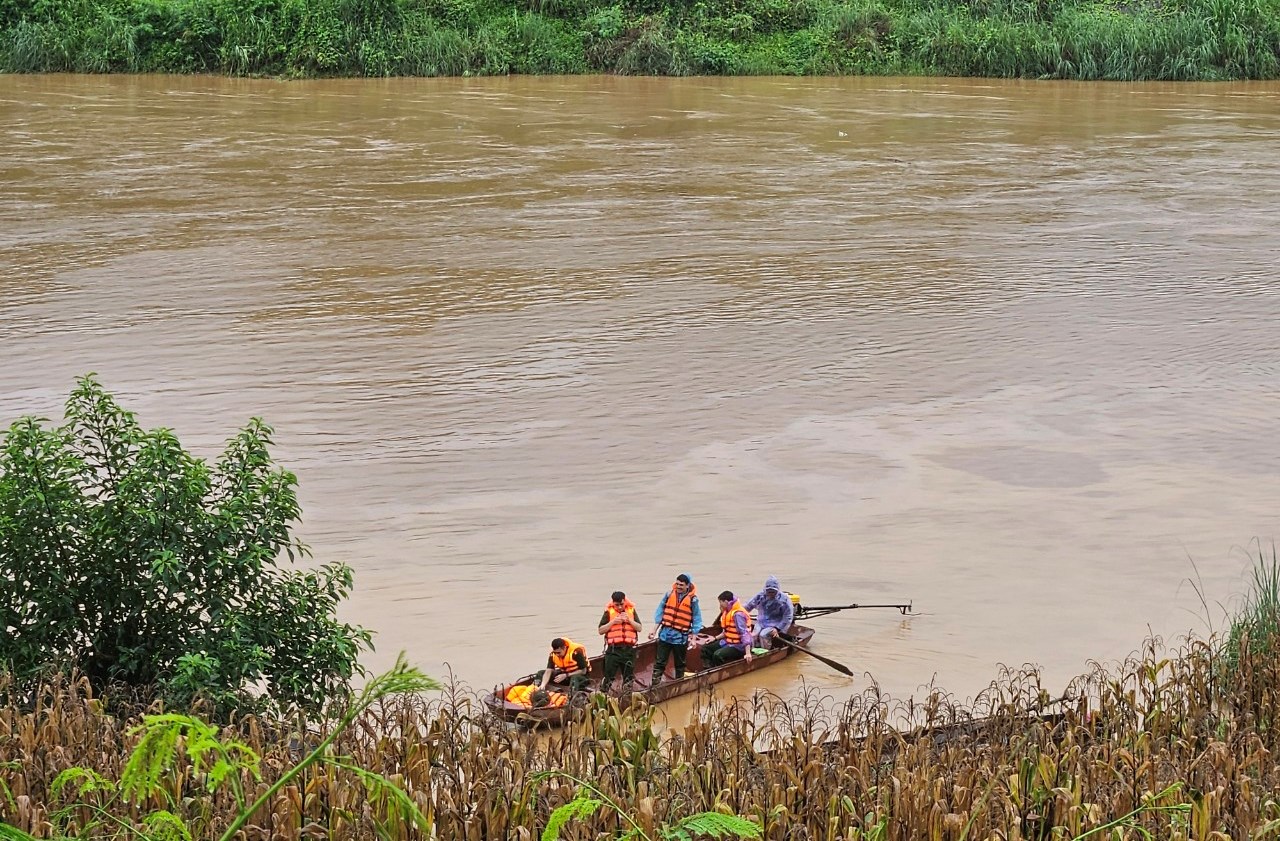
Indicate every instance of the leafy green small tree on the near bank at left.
{"type": "Point", "coordinates": [130, 559]}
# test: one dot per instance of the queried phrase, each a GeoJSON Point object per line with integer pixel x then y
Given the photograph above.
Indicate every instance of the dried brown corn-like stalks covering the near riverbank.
{"type": "Point", "coordinates": [1173, 744]}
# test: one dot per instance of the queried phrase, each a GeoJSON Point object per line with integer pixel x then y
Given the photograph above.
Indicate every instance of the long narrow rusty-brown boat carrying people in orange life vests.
{"type": "Point", "coordinates": [697, 678]}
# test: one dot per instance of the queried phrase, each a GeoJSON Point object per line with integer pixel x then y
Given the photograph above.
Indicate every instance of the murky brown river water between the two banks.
{"type": "Point", "coordinates": [1005, 350]}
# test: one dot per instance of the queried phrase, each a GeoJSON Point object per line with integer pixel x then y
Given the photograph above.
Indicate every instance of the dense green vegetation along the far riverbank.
{"type": "Point", "coordinates": [1036, 39]}
